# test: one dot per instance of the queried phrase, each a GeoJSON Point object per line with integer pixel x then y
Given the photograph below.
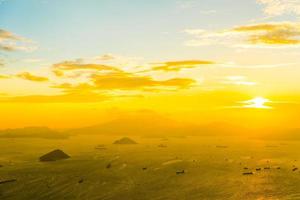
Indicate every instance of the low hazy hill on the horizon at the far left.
{"type": "Point", "coordinates": [32, 132]}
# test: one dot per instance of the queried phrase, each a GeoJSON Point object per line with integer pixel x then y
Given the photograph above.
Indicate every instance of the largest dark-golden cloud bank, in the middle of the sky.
{"type": "Point", "coordinates": [122, 81]}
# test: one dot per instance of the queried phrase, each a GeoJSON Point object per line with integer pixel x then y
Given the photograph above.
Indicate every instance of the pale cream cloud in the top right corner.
{"type": "Point", "coordinates": [280, 7]}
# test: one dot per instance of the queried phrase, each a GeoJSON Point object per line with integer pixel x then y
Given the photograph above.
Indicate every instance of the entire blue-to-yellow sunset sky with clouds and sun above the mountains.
{"type": "Point", "coordinates": [70, 63]}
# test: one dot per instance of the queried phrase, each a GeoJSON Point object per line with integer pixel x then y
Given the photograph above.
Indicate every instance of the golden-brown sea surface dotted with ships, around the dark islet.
{"type": "Point", "coordinates": [190, 168]}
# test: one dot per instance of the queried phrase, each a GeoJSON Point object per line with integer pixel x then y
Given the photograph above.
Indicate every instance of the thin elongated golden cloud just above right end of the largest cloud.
{"type": "Point", "coordinates": [178, 65]}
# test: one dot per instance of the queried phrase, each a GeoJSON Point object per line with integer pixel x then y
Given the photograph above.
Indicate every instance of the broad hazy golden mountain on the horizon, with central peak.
{"type": "Point", "coordinates": [152, 124]}
